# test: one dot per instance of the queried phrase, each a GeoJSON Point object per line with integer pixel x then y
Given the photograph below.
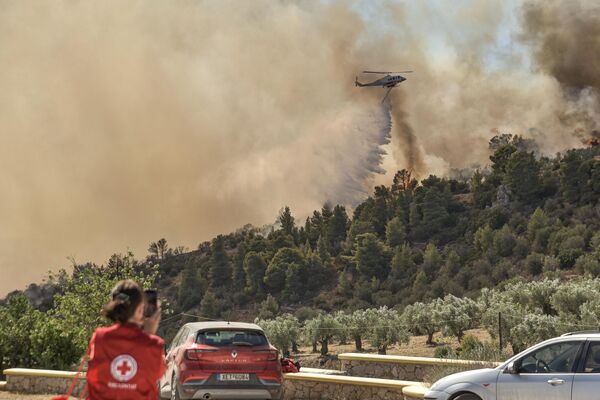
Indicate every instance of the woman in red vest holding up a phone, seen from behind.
{"type": "Point", "coordinates": [126, 359]}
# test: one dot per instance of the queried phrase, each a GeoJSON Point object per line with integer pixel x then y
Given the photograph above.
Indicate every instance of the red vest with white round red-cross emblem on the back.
{"type": "Point", "coordinates": [125, 364]}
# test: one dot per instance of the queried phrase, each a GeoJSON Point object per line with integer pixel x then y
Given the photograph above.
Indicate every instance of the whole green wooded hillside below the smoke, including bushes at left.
{"type": "Point", "coordinates": [523, 218]}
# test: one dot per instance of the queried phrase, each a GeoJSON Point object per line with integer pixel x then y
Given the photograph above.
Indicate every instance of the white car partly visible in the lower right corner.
{"type": "Point", "coordinates": [562, 368]}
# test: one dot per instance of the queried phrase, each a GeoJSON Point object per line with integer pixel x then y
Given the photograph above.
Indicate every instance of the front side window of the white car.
{"type": "Point", "coordinates": [556, 357]}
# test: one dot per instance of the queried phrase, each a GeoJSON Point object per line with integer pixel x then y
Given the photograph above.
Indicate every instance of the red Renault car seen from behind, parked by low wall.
{"type": "Point", "coordinates": [221, 360]}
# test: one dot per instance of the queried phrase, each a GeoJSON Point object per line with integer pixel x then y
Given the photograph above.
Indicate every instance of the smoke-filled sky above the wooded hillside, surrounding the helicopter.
{"type": "Point", "coordinates": [125, 122]}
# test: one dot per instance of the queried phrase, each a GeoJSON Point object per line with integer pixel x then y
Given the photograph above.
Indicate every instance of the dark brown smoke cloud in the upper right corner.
{"type": "Point", "coordinates": [564, 39]}
